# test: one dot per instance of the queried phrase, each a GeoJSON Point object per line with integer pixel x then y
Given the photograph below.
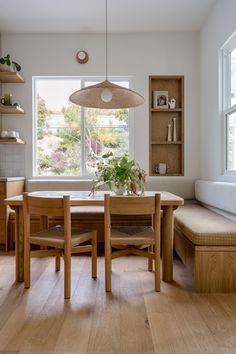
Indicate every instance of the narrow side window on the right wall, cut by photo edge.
{"type": "Point", "coordinates": [229, 102]}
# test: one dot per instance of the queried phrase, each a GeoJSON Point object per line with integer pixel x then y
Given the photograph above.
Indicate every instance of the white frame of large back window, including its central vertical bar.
{"type": "Point", "coordinates": [83, 80]}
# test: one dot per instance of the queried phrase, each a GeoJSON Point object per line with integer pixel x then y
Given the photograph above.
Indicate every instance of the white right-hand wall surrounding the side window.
{"type": "Point", "coordinates": [219, 26]}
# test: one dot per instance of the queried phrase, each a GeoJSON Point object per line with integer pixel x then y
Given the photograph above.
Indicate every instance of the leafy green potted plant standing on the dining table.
{"type": "Point", "coordinates": [120, 174]}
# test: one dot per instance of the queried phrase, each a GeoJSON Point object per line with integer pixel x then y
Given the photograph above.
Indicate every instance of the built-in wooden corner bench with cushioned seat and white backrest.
{"type": "Point", "coordinates": [205, 237]}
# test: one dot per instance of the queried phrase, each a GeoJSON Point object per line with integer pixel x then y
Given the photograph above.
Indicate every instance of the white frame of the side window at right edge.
{"type": "Point", "coordinates": [227, 109]}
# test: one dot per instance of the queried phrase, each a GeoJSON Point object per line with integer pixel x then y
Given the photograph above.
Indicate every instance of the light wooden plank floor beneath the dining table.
{"type": "Point", "coordinates": [131, 319]}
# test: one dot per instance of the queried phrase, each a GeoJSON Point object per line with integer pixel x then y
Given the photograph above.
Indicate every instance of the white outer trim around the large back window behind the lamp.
{"type": "Point", "coordinates": [85, 177]}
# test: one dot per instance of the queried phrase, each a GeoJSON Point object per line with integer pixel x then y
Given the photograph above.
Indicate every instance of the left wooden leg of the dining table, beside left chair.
{"type": "Point", "coordinates": [19, 243]}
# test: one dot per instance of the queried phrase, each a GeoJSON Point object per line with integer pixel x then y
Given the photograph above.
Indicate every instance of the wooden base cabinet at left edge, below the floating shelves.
{"type": "Point", "coordinates": [8, 188]}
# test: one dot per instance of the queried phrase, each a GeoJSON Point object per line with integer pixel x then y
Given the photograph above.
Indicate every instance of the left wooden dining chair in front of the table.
{"type": "Point", "coordinates": [62, 240]}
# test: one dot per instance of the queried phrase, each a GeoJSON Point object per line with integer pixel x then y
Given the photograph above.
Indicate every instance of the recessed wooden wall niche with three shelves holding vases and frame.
{"type": "Point", "coordinates": [163, 147]}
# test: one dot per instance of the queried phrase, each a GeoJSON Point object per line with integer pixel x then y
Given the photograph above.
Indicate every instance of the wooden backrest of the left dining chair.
{"type": "Point", "coordinates": [45, 206]}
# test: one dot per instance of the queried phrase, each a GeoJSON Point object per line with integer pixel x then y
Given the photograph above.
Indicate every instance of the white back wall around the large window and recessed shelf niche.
{"type": "Point", "coordinates": [136, 55]}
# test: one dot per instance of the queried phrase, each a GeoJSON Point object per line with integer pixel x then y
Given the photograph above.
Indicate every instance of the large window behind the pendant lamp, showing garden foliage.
{"type": "Point", "coordinates": [69, 139]}
